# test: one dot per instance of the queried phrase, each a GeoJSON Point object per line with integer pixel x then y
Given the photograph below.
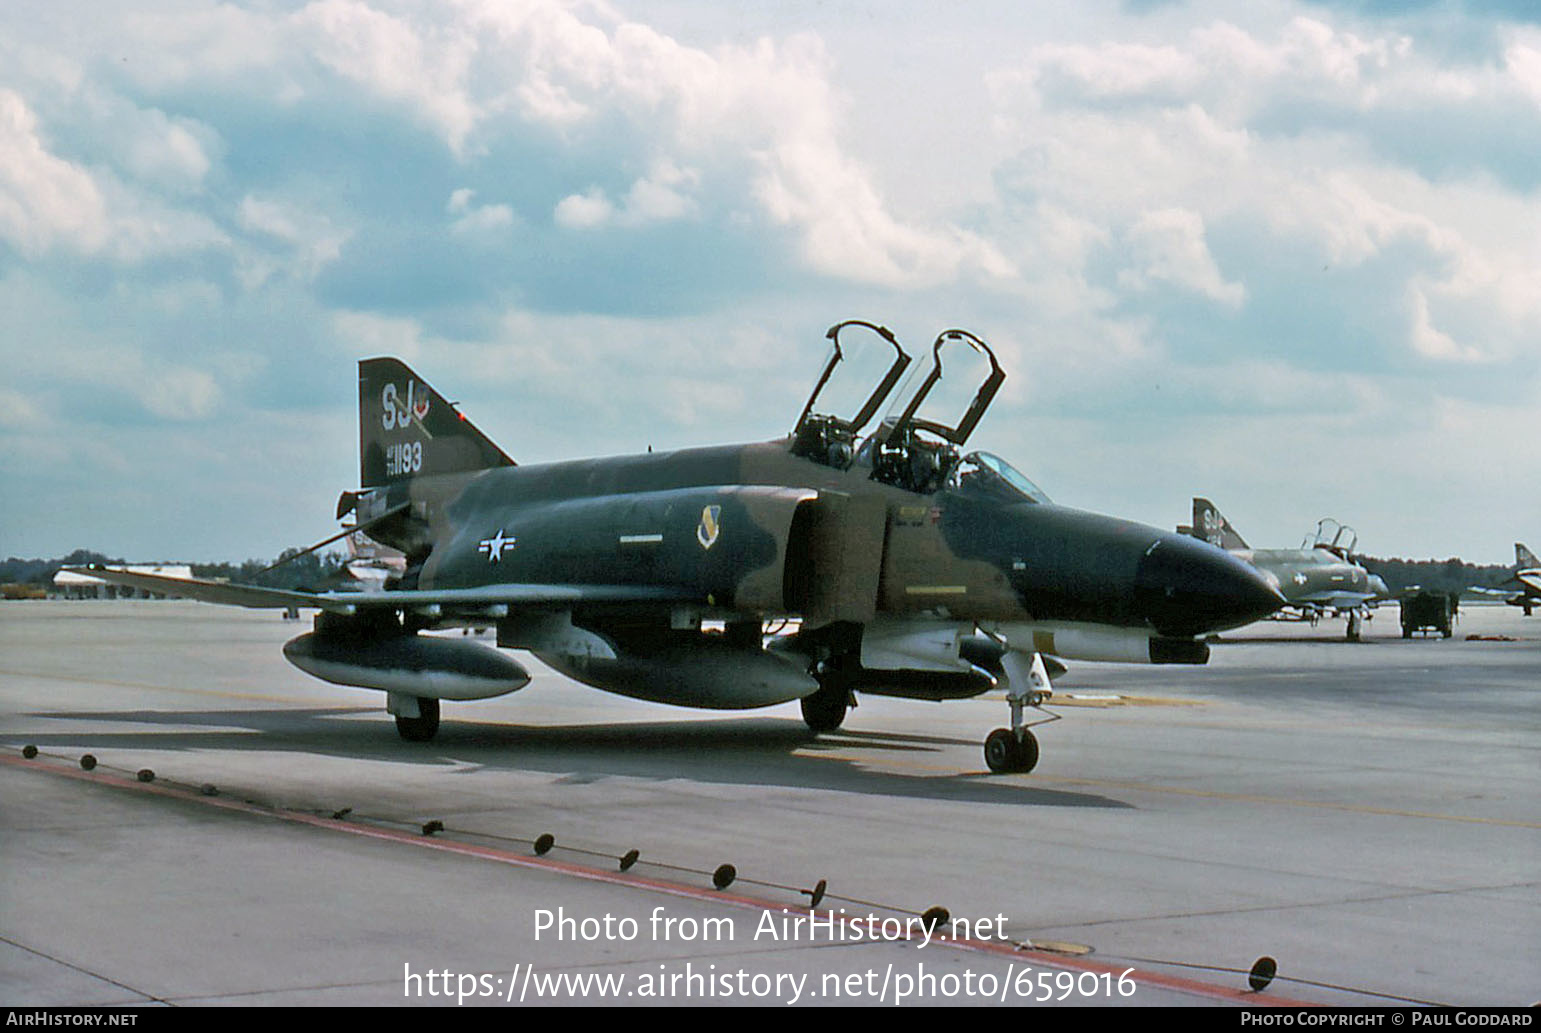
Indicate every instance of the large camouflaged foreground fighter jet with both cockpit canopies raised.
{"type": "Point", "coordinates": [905, 567]}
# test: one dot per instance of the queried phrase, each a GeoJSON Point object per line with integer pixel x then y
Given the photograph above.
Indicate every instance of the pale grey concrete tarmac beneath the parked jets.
{"type": "Point", "coordinates": [1368, 815]}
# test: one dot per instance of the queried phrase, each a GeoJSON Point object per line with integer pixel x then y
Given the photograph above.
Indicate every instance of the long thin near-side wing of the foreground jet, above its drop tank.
{"type": "Point", "coordinates": [260, 597]}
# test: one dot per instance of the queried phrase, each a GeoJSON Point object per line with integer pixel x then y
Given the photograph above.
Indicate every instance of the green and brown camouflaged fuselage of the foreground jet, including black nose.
{"type": "Point", "coordinates": [764, 534]}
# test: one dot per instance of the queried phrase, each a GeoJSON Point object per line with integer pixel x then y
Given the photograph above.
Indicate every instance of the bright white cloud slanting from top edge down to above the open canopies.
{"type": "Point", "coordinates": [760, 121]}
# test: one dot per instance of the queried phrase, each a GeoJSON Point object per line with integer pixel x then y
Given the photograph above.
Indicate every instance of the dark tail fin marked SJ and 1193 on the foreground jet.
{"type": "Point", "coordinates": [408, 429]}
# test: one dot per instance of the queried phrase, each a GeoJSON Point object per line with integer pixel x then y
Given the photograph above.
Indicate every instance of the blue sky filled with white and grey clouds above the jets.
{"type": "Point", "coordinates": [1286, 255]}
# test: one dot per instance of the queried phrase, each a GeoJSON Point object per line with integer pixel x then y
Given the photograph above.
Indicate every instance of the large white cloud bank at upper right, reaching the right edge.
{"type": "Point", "coordinates": [1234, 129]}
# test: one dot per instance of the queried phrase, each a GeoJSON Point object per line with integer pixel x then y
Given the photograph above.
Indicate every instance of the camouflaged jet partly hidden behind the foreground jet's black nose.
{"type": "Point", "coordinates": [1317, 580]}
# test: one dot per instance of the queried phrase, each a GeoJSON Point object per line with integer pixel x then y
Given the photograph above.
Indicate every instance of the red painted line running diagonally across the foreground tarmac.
{"type": "Point", "coordinates": [1141, 977]}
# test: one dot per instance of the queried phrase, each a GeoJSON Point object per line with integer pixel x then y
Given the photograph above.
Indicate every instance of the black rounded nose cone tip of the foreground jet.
{"type": "Point", "coordinates": [1186, 587]}
